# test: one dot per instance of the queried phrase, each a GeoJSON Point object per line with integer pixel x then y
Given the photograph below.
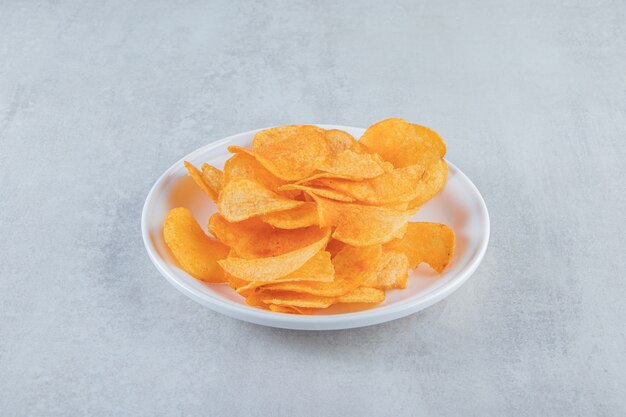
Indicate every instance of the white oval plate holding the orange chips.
{"type": "Point", "coordinates": [459, 205]}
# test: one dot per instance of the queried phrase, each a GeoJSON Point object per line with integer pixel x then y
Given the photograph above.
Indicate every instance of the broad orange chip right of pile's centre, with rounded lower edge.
{"type": "Point", "coordinates": [359, 225]}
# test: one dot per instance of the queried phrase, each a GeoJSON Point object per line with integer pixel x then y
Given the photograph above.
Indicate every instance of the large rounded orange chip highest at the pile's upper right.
{"type": "Point", "coordinates": [403, 144]}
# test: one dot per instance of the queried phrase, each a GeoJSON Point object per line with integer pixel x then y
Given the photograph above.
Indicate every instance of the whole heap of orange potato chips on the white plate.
{"type": "Point", "coordinates": [309, 217]}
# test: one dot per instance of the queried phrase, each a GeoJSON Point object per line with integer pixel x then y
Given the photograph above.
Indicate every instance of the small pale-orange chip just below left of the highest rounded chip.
{"type": "Point", "coordinates": [350, 164]}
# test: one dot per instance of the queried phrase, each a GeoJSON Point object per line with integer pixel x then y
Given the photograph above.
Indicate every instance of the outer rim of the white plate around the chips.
{"type": "Point", "coordinates": [363, 318]}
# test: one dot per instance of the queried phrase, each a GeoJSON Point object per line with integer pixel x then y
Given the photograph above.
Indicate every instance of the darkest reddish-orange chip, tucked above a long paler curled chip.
{"type": "Point", "coordinates": [253, 238]}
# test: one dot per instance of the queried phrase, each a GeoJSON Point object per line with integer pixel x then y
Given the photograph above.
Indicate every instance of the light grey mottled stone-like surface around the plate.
{"type": "Point", "coordinates": [97, 99]}
